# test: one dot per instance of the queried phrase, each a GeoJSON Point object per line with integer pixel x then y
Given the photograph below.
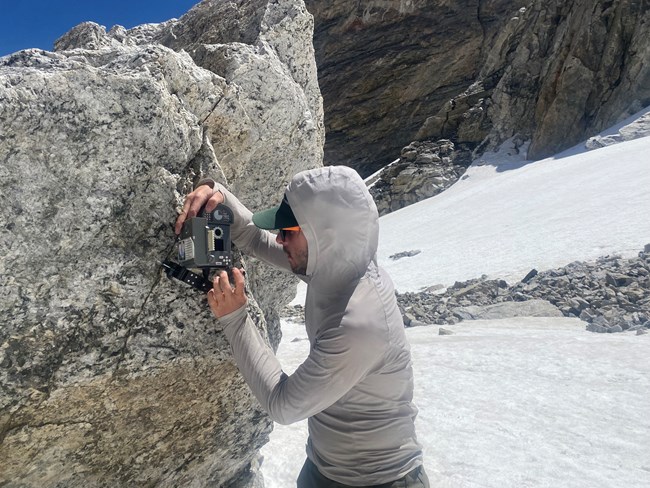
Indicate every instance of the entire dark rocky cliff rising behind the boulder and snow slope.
{"type": "Point", "coordinates": [476, 72]}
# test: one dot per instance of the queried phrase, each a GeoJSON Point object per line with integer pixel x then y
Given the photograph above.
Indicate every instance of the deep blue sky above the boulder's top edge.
{"type": "Point", "coordinates": [25, 24]}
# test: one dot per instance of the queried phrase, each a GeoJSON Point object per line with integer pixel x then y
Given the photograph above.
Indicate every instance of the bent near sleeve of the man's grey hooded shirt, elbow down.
{"type": "Point", "coordinates": [339, 359]}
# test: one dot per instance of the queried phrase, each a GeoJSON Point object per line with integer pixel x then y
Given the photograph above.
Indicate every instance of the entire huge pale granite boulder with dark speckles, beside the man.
{"type": "Point", "coordinates": [113, 375]}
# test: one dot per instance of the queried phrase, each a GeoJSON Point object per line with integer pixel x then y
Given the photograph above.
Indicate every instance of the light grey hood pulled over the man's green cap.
{"type": "Point", "coordinates": [340, 221]}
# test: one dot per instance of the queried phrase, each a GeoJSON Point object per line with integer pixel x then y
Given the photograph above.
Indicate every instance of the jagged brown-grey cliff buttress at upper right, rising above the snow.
{"type": "Point", "coordinates": [566, 71]}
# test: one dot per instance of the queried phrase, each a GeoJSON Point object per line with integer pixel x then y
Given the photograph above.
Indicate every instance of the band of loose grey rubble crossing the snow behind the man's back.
{"type": "Point", "coordinates": [611, 294]}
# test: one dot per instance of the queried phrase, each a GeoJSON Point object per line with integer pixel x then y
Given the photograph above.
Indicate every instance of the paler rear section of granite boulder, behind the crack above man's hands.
{"type": "Point", "coordinates": [265, 54]}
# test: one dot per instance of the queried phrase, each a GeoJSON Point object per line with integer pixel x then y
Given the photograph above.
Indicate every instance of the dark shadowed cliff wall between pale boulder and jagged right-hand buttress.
{"type": "Point", "coordinates": [385, 67]}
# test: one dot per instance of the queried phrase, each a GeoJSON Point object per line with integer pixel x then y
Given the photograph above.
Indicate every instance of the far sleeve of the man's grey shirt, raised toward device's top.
{"type": "Point", "coordinates": [249, 238]}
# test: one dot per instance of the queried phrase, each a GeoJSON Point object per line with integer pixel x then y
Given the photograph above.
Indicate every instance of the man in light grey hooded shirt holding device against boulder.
{"type": "Point", "coordinates": [356, 385]}
